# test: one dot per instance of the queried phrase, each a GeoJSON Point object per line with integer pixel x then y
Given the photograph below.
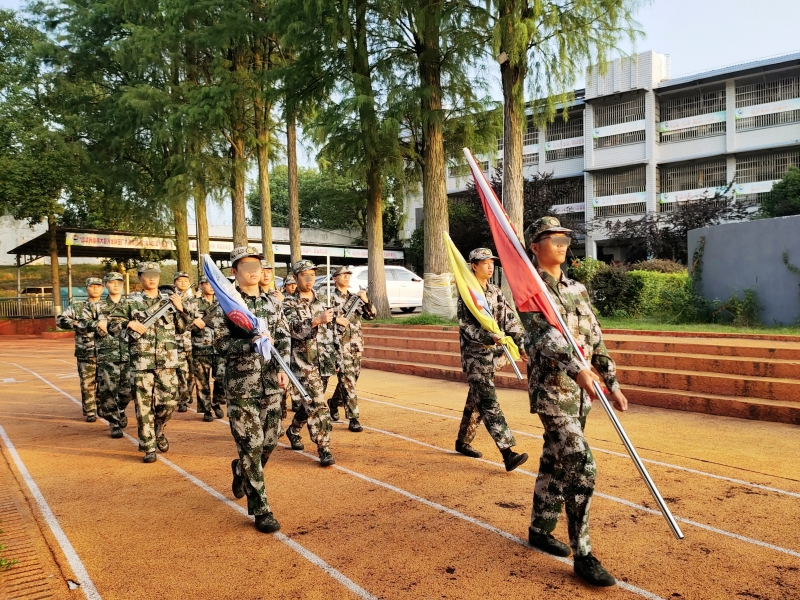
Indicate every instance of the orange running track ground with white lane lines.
{"type": "Point", "coordinates": [401, 515]}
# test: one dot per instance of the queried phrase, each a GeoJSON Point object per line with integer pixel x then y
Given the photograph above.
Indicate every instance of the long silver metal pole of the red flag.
{"type": "Point", "coordinates": [489, 196]}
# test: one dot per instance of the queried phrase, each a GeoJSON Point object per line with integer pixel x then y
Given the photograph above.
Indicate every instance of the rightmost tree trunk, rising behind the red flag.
{"type": "Point", "coordinates": [512, 73]}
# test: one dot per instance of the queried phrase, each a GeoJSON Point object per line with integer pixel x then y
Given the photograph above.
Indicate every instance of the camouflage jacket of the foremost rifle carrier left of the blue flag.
{"type": "Point", "coordinates": [156, 349]}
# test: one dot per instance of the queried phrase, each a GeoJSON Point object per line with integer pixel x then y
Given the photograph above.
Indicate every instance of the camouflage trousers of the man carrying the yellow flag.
{"type": "Point", "coordinates": [482, 405]}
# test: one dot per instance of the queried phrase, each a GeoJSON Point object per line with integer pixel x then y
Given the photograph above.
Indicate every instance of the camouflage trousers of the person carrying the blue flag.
{"type": "Point", "coordinates": [255, 425]}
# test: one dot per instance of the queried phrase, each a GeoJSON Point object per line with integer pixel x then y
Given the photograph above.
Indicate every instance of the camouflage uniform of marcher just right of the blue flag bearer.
{"type": "Point", "coordinates": [315, 357]}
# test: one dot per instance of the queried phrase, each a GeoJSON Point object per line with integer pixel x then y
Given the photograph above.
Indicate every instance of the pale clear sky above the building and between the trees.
{"type": "Point", "coordinates": [697, 34]}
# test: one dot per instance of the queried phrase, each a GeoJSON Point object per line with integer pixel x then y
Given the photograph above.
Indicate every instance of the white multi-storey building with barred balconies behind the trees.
{"type": "Point", "coordinates": [640, 141]}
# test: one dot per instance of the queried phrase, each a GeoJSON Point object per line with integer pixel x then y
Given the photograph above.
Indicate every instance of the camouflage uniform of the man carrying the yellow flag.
{"type": "Point", "coordinates": [480, 359]}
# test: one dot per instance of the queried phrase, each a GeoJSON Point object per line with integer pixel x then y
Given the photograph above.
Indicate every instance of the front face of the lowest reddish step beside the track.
{"type": "Point", "coordinates": [715, 404]}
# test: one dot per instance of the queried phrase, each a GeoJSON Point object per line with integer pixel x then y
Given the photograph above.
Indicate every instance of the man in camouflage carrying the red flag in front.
{"type": "Point", "coordinates": [561, 392]}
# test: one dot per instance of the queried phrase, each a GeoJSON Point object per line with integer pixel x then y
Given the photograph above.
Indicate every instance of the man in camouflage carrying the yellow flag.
{"type": "Point", "coordinates": [481, 356]}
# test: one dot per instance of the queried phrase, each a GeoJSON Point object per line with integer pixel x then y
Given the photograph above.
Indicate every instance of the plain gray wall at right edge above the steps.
{"type": "Point", "coordinates": [749, 255]}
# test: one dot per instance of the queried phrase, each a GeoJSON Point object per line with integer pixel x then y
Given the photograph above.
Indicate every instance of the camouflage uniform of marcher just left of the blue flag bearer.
{"type": "Point", "coordinates": [204, 355]}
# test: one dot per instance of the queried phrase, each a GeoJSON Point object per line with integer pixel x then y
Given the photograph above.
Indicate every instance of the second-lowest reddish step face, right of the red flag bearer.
{"type": "Point", "coordinates": [768, 388]}
